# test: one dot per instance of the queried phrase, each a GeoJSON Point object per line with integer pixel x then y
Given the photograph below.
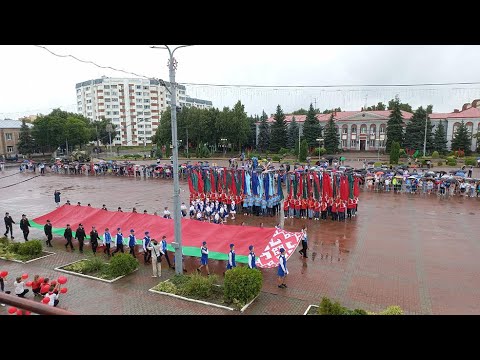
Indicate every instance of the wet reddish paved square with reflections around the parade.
{"type": "Point", "coordinates": [418, 252]}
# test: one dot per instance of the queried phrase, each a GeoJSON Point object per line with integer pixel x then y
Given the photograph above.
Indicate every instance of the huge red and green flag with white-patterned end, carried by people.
{"type": "Point", "coordinates": [267, 241]}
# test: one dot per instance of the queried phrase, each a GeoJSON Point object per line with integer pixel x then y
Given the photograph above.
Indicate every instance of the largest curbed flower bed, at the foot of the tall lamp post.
{"type": "Point", "coordinates": [208, 291]}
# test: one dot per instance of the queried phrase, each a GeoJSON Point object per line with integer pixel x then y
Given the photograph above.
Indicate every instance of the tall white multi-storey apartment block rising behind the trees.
{"type": "Point", "coordinates": [133, 105]}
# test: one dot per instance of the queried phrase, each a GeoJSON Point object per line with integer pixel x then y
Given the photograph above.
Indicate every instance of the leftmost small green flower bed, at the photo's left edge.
{"type": "Point", "coordinates": [22, 252]}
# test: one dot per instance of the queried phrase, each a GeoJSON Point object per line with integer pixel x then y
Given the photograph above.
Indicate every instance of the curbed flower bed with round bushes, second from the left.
{"type": "Point", "coordinates": [97, 269]}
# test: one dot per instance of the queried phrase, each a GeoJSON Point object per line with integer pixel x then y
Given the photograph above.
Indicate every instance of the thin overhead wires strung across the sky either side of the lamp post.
{"type": "Point", "coordinates": [265, 86]}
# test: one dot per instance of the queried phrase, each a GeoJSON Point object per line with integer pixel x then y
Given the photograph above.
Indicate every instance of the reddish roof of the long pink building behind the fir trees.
{"type": "Point", "coordinates": [348, 115]}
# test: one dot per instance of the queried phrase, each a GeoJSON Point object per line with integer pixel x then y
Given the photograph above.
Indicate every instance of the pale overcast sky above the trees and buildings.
{"type": "Point", "coordinates": [34, 81]}
